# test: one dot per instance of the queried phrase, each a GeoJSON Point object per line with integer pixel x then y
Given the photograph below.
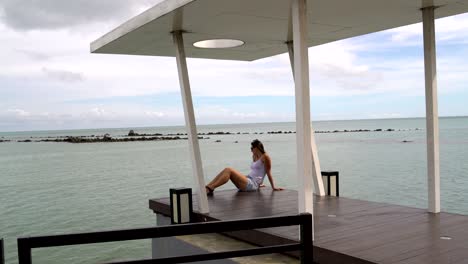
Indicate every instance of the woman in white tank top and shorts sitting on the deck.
{"type": "Point", "coordinates": [260, 167]}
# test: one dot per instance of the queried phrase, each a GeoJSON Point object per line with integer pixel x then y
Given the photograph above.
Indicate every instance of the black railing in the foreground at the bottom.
{"type": "Point", "coordinates": [25, 245]}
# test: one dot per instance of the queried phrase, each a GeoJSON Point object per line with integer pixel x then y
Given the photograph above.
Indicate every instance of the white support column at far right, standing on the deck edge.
{"type": "Point", "coordinates": [432, 116]}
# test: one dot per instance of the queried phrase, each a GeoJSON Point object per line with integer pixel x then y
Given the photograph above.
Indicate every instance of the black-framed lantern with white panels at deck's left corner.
{"type": "Point", "coordinates": [181, 205]}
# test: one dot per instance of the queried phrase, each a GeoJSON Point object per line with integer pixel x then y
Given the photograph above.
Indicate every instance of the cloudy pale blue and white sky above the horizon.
{"type": "Point", "coordinates": [50, 81]}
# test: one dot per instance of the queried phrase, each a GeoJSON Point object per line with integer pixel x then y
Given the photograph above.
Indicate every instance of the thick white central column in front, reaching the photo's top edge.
{"type": "Point", "coordinates": [303, 131]}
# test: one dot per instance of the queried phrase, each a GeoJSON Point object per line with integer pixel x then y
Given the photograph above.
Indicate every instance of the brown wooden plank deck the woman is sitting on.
{"type": "Point", "coordinates": [346, 230]}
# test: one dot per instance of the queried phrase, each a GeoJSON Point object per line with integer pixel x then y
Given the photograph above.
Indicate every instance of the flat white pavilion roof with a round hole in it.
{"type": "Point", "coordinates": [264, 25]}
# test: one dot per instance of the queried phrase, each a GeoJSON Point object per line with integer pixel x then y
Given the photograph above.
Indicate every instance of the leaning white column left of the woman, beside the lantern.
{"type": "Point", "coordinates": [190, 121]}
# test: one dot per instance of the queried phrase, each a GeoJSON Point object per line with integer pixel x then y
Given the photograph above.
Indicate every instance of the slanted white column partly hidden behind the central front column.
{"type": "Point", "coordinates": [316, 170]}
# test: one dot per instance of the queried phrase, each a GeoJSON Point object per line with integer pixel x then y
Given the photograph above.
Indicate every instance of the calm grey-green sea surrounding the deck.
{"type": "Point", "coordinates": [49, 188]}
